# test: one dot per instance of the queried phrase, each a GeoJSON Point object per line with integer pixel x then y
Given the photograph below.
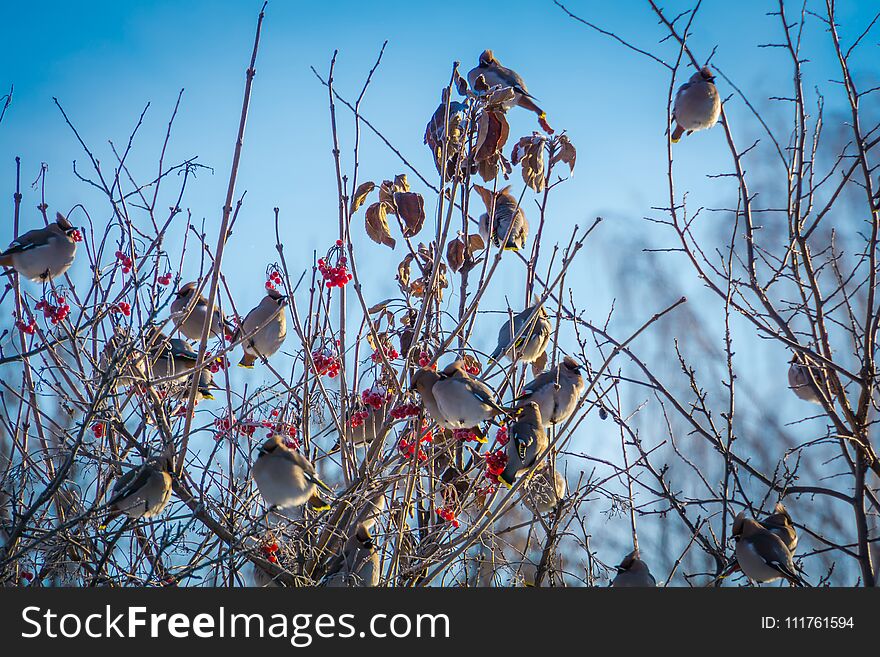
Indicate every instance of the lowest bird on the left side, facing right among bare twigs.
{"type": "Point", "coordinates": [142, 492]}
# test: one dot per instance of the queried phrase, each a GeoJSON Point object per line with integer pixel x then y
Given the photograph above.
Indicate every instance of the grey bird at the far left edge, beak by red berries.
{"type": "Point", "coordinates": [43, 253]}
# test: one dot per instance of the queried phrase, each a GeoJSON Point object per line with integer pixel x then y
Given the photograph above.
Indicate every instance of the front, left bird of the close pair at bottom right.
{"type": "Point", "coordinates": [761, 554]}
